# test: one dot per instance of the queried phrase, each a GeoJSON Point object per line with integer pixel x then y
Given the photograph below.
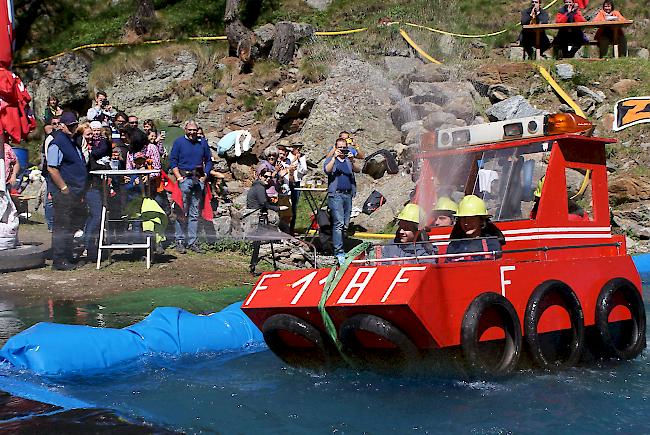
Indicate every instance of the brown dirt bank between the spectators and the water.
{"type": "Point", "coordinates": [203, 272]}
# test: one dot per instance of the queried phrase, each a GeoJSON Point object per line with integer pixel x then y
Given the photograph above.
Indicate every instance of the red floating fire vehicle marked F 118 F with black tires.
{"type": "Point", "coordinates": [560, 274]}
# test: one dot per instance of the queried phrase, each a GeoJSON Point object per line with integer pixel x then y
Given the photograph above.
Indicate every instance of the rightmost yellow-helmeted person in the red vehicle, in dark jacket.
{"type": "Point", "coordinates": [474, 232]}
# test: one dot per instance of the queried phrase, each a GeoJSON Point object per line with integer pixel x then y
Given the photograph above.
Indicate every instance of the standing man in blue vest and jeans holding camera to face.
{"type": "Point", "coordinates": [340, 169]}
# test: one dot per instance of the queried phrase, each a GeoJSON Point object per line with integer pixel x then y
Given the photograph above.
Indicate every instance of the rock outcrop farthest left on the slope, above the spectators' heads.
{"type": "Point", "coordinates": [66, 77]}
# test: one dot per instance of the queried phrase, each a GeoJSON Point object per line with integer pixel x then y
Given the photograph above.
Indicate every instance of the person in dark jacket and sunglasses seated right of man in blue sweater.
{"type": "Point", "coordinates": [258, 205]}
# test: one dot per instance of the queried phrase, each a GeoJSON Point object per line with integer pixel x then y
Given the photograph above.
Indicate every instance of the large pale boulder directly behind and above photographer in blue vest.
{"type": "Point", "coordinates": [355, 97]}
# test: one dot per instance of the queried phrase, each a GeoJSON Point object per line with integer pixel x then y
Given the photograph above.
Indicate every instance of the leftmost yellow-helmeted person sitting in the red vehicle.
{"type": "Point", "coordinates": [409, 240]}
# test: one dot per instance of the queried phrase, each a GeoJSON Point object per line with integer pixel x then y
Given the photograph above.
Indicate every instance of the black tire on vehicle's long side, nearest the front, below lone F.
{"type": "Point", "coordinates": [490, 359]}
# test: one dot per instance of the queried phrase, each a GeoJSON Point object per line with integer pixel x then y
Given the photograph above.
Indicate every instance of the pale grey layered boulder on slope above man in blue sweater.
{"type": "Point", "coordinates": [146, 93]}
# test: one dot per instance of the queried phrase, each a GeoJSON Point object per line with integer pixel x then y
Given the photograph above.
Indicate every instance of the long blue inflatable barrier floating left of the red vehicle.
{"type": "Point", "coordinates": [48, 348]}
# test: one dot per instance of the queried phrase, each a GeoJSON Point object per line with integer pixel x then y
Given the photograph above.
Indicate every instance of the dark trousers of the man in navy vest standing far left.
{"type": "Point", "coordinates": [67, 208]}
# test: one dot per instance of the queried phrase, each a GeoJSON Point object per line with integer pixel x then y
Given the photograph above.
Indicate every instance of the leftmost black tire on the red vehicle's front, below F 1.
{"type": "Point", "coordinates": [316, 351]}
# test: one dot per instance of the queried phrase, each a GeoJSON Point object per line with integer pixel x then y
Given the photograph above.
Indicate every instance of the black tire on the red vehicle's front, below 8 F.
{"type": "Point", "coordinates": [399, 351]}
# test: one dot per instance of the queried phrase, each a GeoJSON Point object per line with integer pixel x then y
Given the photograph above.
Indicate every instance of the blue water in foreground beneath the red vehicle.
{"type": "Point", "coordinates": [257, 393]}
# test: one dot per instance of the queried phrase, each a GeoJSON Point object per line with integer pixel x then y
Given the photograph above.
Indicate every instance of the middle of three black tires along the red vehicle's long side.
{"type": "Point", "coordinates": [565, 352]}
